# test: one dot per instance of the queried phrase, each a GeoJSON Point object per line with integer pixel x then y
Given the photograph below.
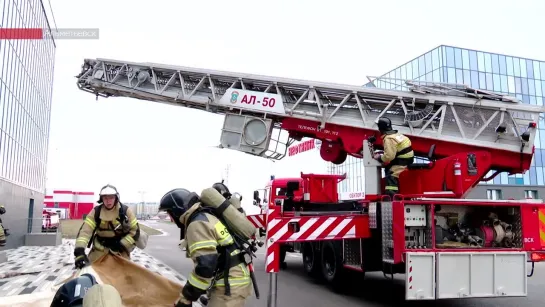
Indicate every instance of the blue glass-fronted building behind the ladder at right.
{"type": "Point", "coordinates": [511, 75]}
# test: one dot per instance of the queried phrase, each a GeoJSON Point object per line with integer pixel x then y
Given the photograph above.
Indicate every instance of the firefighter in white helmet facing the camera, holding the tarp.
{"type": "Point", "coordinates": [110, 227]}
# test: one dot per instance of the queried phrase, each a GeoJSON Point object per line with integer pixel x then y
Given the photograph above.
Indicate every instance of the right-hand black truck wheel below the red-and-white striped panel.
{"type": "Point", "coordinates": [332, 265]}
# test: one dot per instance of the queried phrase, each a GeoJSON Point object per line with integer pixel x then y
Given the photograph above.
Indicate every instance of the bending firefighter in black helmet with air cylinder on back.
{"type": "Point", "coordinates": [219, 265]}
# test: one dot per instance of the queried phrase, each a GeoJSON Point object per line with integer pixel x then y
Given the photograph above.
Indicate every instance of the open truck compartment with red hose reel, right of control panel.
{"type": "Point", "coordinates": [477, 226]}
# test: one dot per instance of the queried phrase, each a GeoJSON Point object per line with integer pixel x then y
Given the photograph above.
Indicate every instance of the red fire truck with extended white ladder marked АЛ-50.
{"type": "Point", "coordinates": [447, 246]}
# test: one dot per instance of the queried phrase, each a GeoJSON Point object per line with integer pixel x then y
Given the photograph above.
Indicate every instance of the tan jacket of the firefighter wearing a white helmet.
{"type": "Point", "coordinates": [113, 229]}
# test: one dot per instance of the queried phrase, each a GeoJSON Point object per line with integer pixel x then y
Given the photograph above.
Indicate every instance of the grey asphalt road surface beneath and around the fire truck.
{"type": "Point", "coordinates": [295, 289]}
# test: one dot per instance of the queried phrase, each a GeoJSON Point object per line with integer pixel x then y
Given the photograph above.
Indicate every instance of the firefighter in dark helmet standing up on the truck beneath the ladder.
{"type": "Point", "coordinates": [397, 156]}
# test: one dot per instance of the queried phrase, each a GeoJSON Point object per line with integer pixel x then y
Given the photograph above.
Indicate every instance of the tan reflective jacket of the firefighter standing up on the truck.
{"type": "Point", "coordinates": [397, 151]}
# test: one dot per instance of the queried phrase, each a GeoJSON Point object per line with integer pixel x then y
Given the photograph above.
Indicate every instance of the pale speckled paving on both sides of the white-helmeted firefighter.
{"type": "Point", "coordinates": [52, 265]}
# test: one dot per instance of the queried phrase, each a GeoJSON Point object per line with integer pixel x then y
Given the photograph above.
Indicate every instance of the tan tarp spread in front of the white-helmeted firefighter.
{"type": "Point", "coordinates": [138, 286]}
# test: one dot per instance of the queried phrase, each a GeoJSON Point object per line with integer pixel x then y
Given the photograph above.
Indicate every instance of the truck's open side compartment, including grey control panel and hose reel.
{"type": "Point", "coordinates": [462, 226]}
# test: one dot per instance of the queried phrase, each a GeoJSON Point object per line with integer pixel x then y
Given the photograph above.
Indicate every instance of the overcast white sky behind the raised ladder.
{"type": "Point", "coordinates": [147, 146]}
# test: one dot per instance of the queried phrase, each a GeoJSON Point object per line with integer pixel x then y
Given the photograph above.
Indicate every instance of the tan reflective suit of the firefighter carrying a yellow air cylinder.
{"type": "Point", "coordinates": [216, 258]}
